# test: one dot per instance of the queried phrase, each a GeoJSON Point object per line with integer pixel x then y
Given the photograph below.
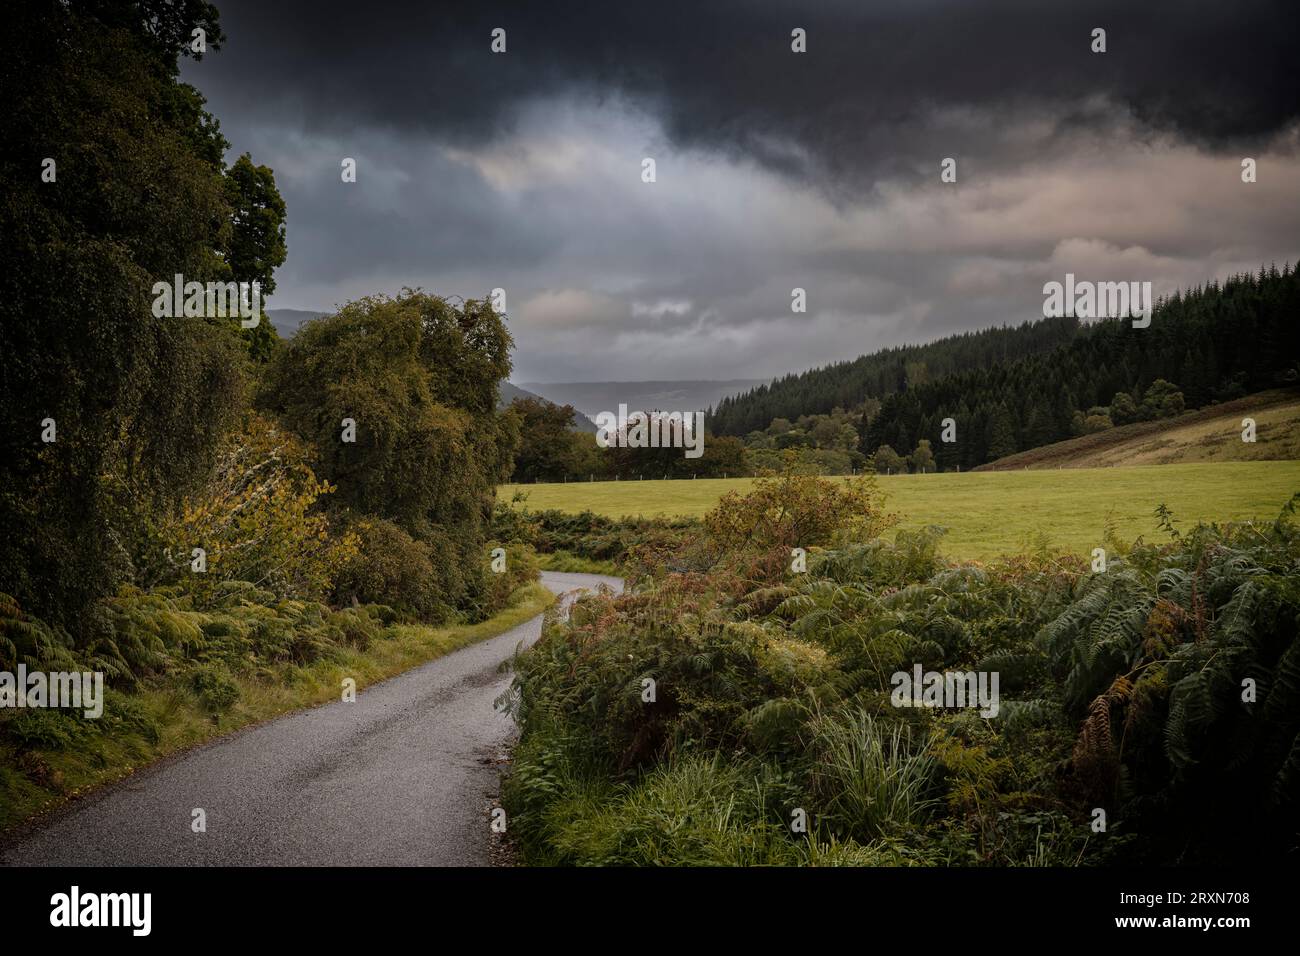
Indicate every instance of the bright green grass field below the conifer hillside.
{"type": "Point", "coordinates": [994, 513]}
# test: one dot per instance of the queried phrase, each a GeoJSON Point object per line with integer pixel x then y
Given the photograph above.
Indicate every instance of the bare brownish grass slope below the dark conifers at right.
{"type": "Point", "coordinates": [1210, 435]}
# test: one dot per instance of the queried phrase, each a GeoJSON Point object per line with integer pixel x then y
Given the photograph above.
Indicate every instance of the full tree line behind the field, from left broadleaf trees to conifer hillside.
{"type": "Point", "coordinates": [969, 400]}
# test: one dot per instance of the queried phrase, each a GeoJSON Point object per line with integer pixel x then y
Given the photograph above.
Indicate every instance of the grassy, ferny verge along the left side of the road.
{"type": "Point", "coordinates": [167, 717]}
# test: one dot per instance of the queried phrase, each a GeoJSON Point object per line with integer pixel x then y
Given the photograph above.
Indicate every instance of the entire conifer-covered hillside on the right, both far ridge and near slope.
{"type": "Point", "coordinates": [1012, 390]}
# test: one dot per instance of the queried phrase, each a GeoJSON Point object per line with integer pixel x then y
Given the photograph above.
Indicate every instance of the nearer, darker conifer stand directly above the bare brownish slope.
{"type": "Point", "coordinates": [1210, 344]}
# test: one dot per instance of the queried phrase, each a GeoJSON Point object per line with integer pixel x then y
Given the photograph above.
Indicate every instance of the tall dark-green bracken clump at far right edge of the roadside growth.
{"type": "Point", "coordinates": [1156, 655]}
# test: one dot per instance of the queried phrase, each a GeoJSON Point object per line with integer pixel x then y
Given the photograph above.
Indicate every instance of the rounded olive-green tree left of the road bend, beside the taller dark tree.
{"type": "Point", "coordinates": [418, 377]}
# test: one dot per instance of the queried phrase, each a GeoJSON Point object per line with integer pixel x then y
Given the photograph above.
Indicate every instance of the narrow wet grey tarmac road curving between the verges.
{"type": "Point", "coordinates": [402, 777]}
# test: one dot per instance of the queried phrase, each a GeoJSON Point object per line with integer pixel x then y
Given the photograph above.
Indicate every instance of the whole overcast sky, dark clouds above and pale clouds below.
{"type": "Point", "coordinates": [775, 170]}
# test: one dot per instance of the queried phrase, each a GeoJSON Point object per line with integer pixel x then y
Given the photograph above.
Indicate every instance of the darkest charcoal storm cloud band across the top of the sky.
{"type": "Point", "coordinates": [721, 76]}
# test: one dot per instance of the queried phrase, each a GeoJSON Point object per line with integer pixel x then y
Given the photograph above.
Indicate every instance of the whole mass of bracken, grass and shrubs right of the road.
{"type": "Point", "coordinates": [1126, 690]}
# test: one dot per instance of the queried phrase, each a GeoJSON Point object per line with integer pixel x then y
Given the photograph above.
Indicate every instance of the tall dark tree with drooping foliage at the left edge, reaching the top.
{"type": "Point", "coordinates": [141, 194]}
